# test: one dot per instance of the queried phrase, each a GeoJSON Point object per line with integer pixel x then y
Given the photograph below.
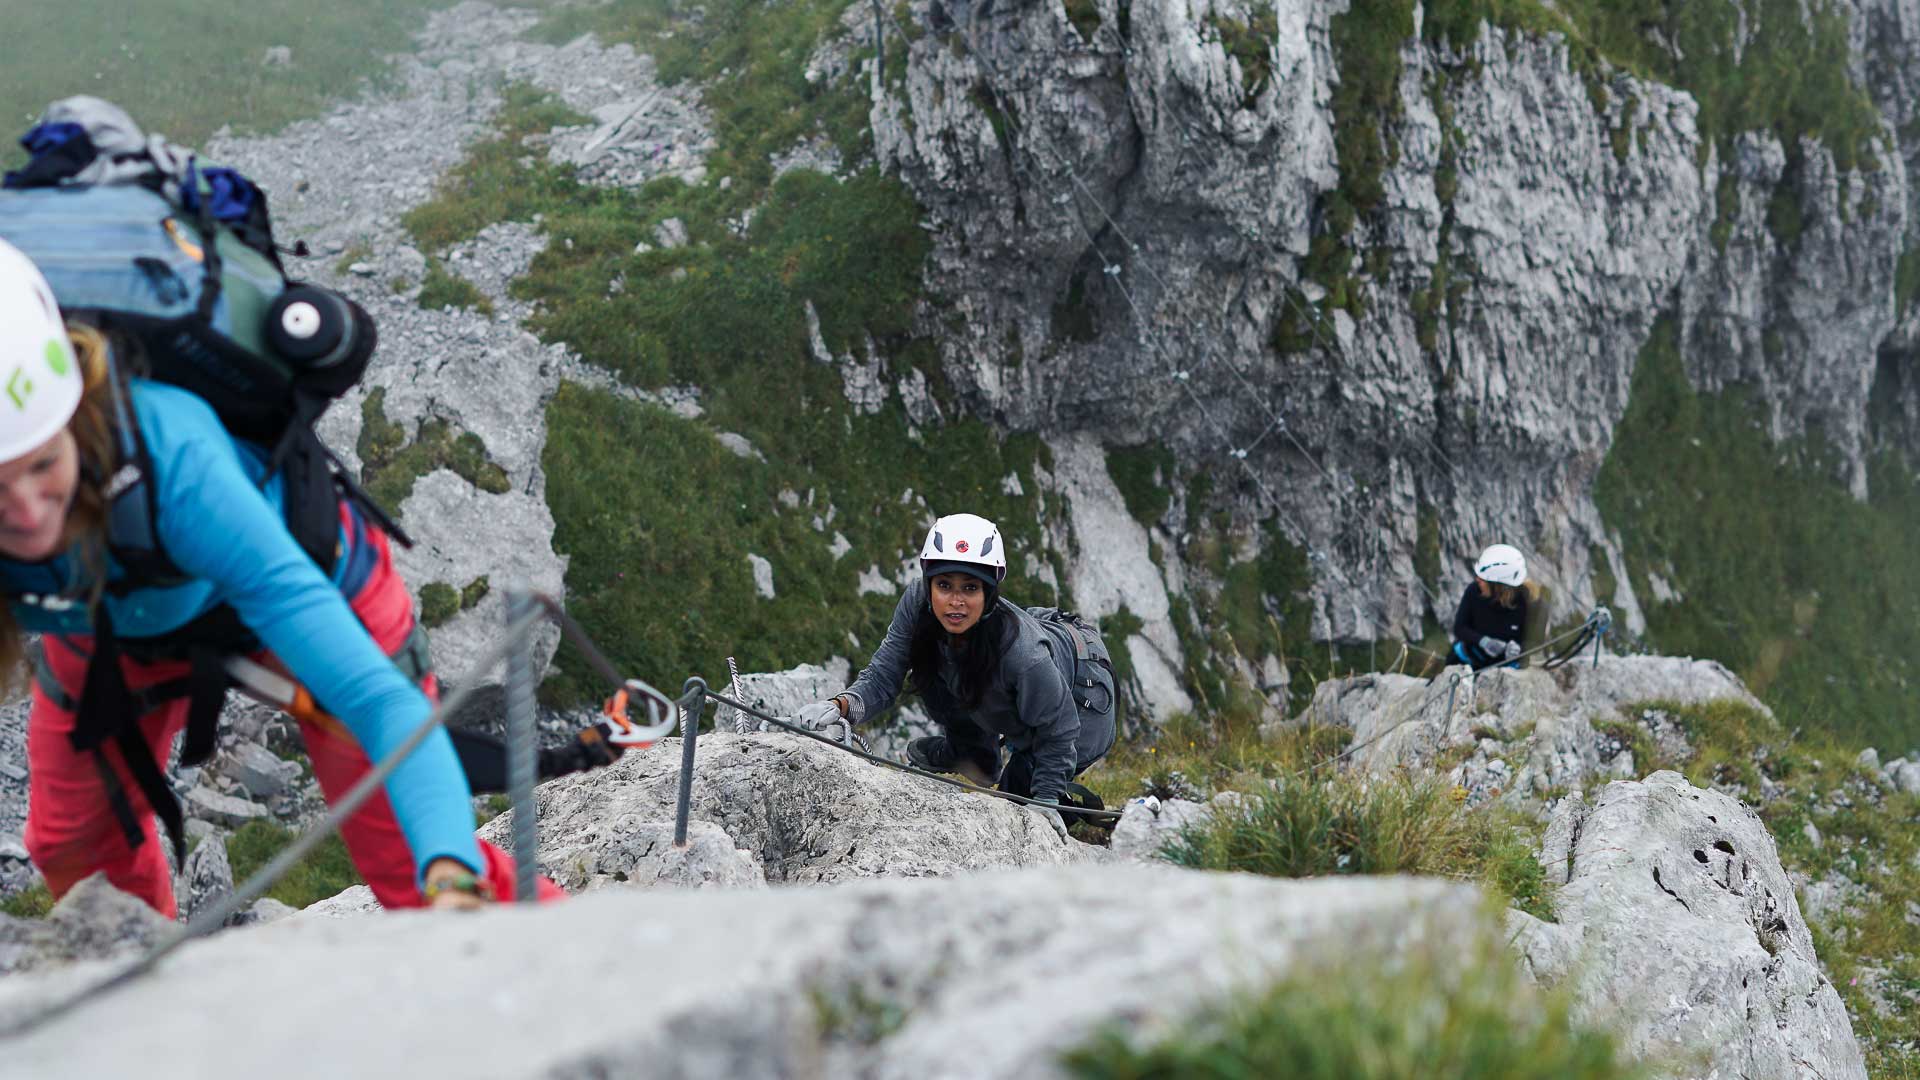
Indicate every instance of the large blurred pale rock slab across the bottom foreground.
{"type": "Point", "coordinates": [880, 979]}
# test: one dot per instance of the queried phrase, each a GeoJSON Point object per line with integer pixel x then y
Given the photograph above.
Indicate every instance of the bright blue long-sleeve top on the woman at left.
{"type": "Point", "coordinates": [228, 533]}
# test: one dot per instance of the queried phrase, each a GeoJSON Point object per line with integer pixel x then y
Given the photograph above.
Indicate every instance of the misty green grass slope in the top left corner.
{"type": "Point", "coordinates": [187, 68]}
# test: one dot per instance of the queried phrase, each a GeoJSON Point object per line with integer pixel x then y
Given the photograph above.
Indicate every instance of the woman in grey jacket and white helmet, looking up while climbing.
{"type": "Point", "coordinates": [994, 674]}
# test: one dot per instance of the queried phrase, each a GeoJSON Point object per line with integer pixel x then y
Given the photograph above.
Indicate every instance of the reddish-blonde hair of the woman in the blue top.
{"type": "Point", "coordinates": [87, 516]}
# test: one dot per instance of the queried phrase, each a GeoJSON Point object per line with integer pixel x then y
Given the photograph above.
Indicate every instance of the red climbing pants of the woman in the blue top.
{"type": "Point", "coordinates": [72, 831]}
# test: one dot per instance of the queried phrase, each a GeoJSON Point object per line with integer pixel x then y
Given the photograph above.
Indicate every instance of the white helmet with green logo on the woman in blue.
{"type": "Point", "coordinates": [39, 378]}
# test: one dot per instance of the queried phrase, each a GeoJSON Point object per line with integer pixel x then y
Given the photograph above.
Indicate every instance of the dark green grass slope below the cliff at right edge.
{"type": "Point", "coordinates": [1748, 533]}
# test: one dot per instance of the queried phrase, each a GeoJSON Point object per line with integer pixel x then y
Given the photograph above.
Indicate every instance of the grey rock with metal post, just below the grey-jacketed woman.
{"type": "Point", "coordinates": [804, 812]}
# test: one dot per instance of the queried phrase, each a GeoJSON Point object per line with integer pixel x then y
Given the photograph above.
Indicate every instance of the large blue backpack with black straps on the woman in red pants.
{"type": "Point", "coordinates": [178, 260]}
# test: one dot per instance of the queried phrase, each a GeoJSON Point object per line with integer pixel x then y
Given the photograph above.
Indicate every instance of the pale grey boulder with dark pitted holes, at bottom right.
{"type": "Point", "coordinates": [1691, 937]}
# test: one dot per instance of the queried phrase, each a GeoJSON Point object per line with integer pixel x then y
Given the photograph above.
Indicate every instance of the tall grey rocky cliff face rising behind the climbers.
{"type": "Point", "coordinates": [1404, 343]}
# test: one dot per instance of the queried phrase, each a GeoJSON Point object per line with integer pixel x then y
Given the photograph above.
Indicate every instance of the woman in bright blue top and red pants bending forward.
{"type": "Point", "coordinates": [89, 453]}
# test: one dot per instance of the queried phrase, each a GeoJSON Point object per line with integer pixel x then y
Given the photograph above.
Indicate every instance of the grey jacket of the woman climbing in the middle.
{"type": "Point", "coordinates": [1030, 704]}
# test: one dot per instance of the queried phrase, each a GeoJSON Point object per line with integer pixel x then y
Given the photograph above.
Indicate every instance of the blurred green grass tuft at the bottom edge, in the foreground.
{"type": "Point", "coordinates": [1439, 1012]}
